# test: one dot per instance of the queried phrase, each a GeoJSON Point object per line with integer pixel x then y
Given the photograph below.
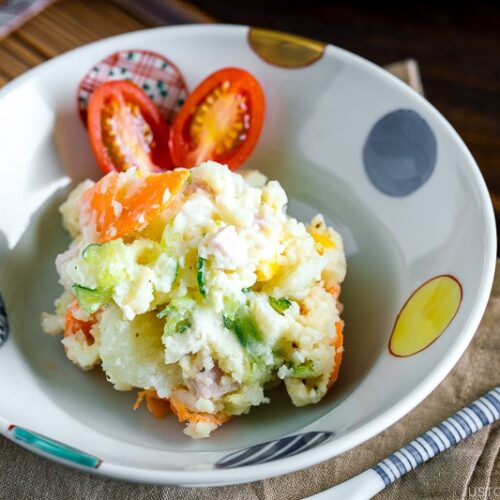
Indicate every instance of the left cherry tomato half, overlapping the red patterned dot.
{"type": "Point", "coordinates": [126, 129]}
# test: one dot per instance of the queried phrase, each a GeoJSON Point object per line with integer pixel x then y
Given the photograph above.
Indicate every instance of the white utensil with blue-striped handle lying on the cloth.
{"type": "Point", "coordinates": [467, 421]}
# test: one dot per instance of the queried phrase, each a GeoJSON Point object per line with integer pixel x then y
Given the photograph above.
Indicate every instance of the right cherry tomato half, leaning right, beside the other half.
{"type": "Point", "coordinates": [221, 120]}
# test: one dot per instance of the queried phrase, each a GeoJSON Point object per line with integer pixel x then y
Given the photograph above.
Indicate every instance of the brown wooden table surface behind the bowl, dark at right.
{"type": "Point", "coordinates": [457, 48]}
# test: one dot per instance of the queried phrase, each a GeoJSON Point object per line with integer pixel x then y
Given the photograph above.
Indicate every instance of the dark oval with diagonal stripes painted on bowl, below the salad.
{"type": "Point", "coordinates": [273, 450]}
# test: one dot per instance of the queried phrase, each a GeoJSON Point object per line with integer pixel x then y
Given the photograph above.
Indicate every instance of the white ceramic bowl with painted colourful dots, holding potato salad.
{"type": "Point", "coordinates": [345, 138]}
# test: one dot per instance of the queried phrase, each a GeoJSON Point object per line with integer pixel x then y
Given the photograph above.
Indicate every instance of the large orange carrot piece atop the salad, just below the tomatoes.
{"type": "Point", "coordinates": [115, 208]}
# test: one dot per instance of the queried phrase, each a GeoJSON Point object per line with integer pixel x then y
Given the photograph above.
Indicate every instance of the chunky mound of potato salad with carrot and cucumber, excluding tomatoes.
{"type": "Point", "coordinates": [196, 288]}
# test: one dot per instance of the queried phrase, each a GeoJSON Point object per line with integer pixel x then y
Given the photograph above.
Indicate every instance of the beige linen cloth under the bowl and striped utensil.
{"type": "Point", "coordinates": [470, 470]}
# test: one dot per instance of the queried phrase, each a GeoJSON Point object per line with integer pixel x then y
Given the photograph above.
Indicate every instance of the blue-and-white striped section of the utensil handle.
{"type": "Point", "coordinates": [470, 419]}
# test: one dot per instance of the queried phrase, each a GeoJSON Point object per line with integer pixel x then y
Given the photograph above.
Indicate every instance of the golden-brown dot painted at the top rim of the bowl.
{"type": "Point", "coordinates": [284, 49]}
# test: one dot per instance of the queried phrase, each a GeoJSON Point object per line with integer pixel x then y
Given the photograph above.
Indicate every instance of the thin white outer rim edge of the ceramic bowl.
{"type": "Point", "coordinates": [368, 429]}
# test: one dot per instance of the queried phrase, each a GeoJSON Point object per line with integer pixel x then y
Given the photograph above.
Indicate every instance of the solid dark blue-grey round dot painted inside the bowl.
{"type": "Point", "coordinates": [400, 153]}
